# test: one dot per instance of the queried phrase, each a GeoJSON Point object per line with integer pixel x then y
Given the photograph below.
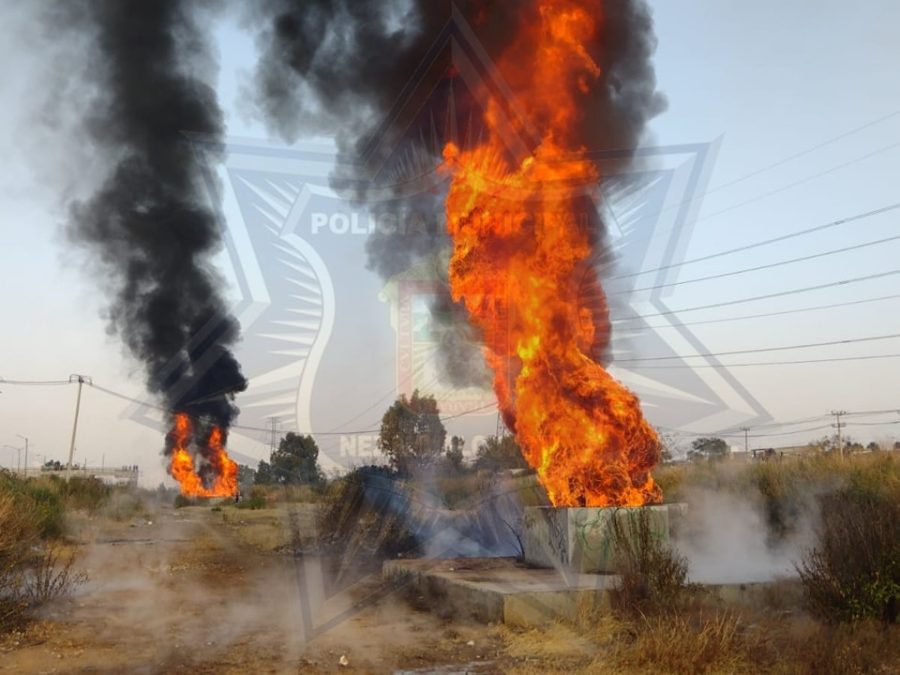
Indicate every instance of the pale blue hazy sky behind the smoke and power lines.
{"type": "Point", "coordinates": [798, 112]}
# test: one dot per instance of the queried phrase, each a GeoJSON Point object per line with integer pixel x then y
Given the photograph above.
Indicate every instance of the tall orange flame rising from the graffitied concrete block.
{"type": "Point", "coordinates": [520, 263]}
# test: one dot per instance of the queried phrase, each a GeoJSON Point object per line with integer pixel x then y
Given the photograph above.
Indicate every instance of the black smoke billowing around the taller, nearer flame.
{"type": "Point", "coordinates": [380, 75]}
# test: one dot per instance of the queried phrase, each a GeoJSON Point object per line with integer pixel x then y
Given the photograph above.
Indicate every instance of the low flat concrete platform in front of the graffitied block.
{"type": "Point", "coordinates": [502, 589]}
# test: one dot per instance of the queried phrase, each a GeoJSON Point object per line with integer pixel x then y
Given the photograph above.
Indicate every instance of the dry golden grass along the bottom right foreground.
{"type": "Point", "coordinates": [704, 641]}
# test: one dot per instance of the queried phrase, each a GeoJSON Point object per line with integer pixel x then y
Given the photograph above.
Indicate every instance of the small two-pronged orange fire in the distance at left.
{"type": "Point", "coordinates": [222, 468]}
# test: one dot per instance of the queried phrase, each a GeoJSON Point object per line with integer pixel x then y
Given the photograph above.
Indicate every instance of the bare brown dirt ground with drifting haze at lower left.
{"type": "Point", "coordinates": [205, 590]}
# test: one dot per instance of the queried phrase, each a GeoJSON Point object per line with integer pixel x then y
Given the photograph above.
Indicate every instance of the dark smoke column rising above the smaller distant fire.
{"type": "Point", "coordinates": [149, 226]}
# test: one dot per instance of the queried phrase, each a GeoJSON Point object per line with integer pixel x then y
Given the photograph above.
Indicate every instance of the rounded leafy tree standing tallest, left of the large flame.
{"type": "Point", "coordinates": [412, 434]}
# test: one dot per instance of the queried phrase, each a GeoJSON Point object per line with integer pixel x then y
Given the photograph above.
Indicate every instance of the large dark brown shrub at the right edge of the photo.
{"type": "Point", "coordinates": [853, 572]}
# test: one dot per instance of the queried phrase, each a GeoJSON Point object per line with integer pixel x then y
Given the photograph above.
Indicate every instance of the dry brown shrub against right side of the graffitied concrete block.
{"type": "Point", "coordinates": [653, 575]}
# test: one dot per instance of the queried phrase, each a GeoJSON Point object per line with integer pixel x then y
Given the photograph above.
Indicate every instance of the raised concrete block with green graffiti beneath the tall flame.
{"type": "Point", "coordinates": [579, 539]}
